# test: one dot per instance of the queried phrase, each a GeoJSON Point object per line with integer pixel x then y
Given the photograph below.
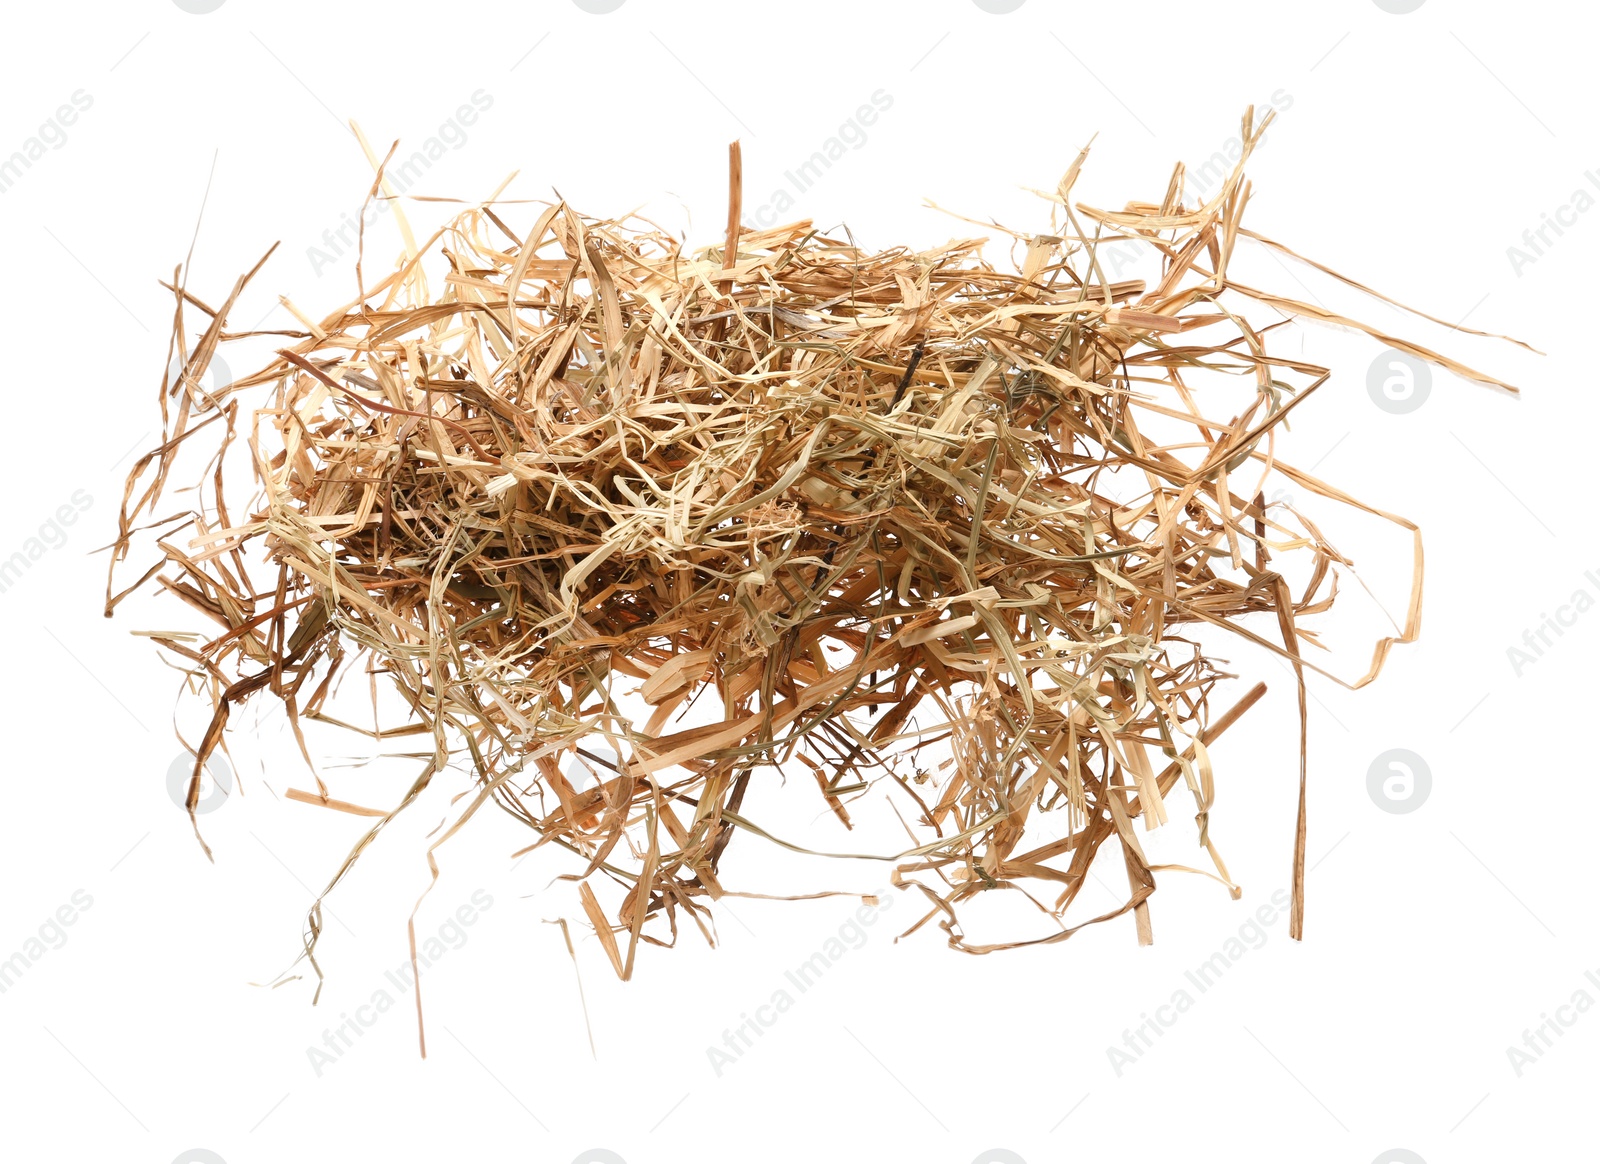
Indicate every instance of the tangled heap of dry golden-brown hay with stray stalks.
{"type": "Point", "coordinates": [593, 460]}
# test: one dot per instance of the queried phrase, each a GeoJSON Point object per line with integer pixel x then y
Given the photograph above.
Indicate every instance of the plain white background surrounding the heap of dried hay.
{"type": "Point", "coordinates": [1417, 149]}
